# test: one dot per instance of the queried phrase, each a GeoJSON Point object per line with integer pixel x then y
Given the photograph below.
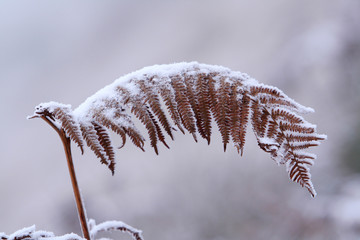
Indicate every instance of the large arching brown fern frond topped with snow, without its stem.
{"type": "Point", "coordinates": [193, 95]}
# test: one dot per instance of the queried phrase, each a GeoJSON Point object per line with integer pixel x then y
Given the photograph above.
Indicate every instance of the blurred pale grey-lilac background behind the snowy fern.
{"type": "Point", "coordinates": [66, 50]}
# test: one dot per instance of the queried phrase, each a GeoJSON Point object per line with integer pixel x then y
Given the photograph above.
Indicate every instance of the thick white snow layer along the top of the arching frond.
{"type": "Point", "coordinates": [162, 76]}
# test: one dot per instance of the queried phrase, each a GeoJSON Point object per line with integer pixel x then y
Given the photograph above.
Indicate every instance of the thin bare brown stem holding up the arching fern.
{"type": "Point", "coordinates": [79, 203]}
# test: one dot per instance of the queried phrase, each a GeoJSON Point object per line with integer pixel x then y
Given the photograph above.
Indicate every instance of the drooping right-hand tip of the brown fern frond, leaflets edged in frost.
{"type": "Point", "coordinates": [287, 134]}
